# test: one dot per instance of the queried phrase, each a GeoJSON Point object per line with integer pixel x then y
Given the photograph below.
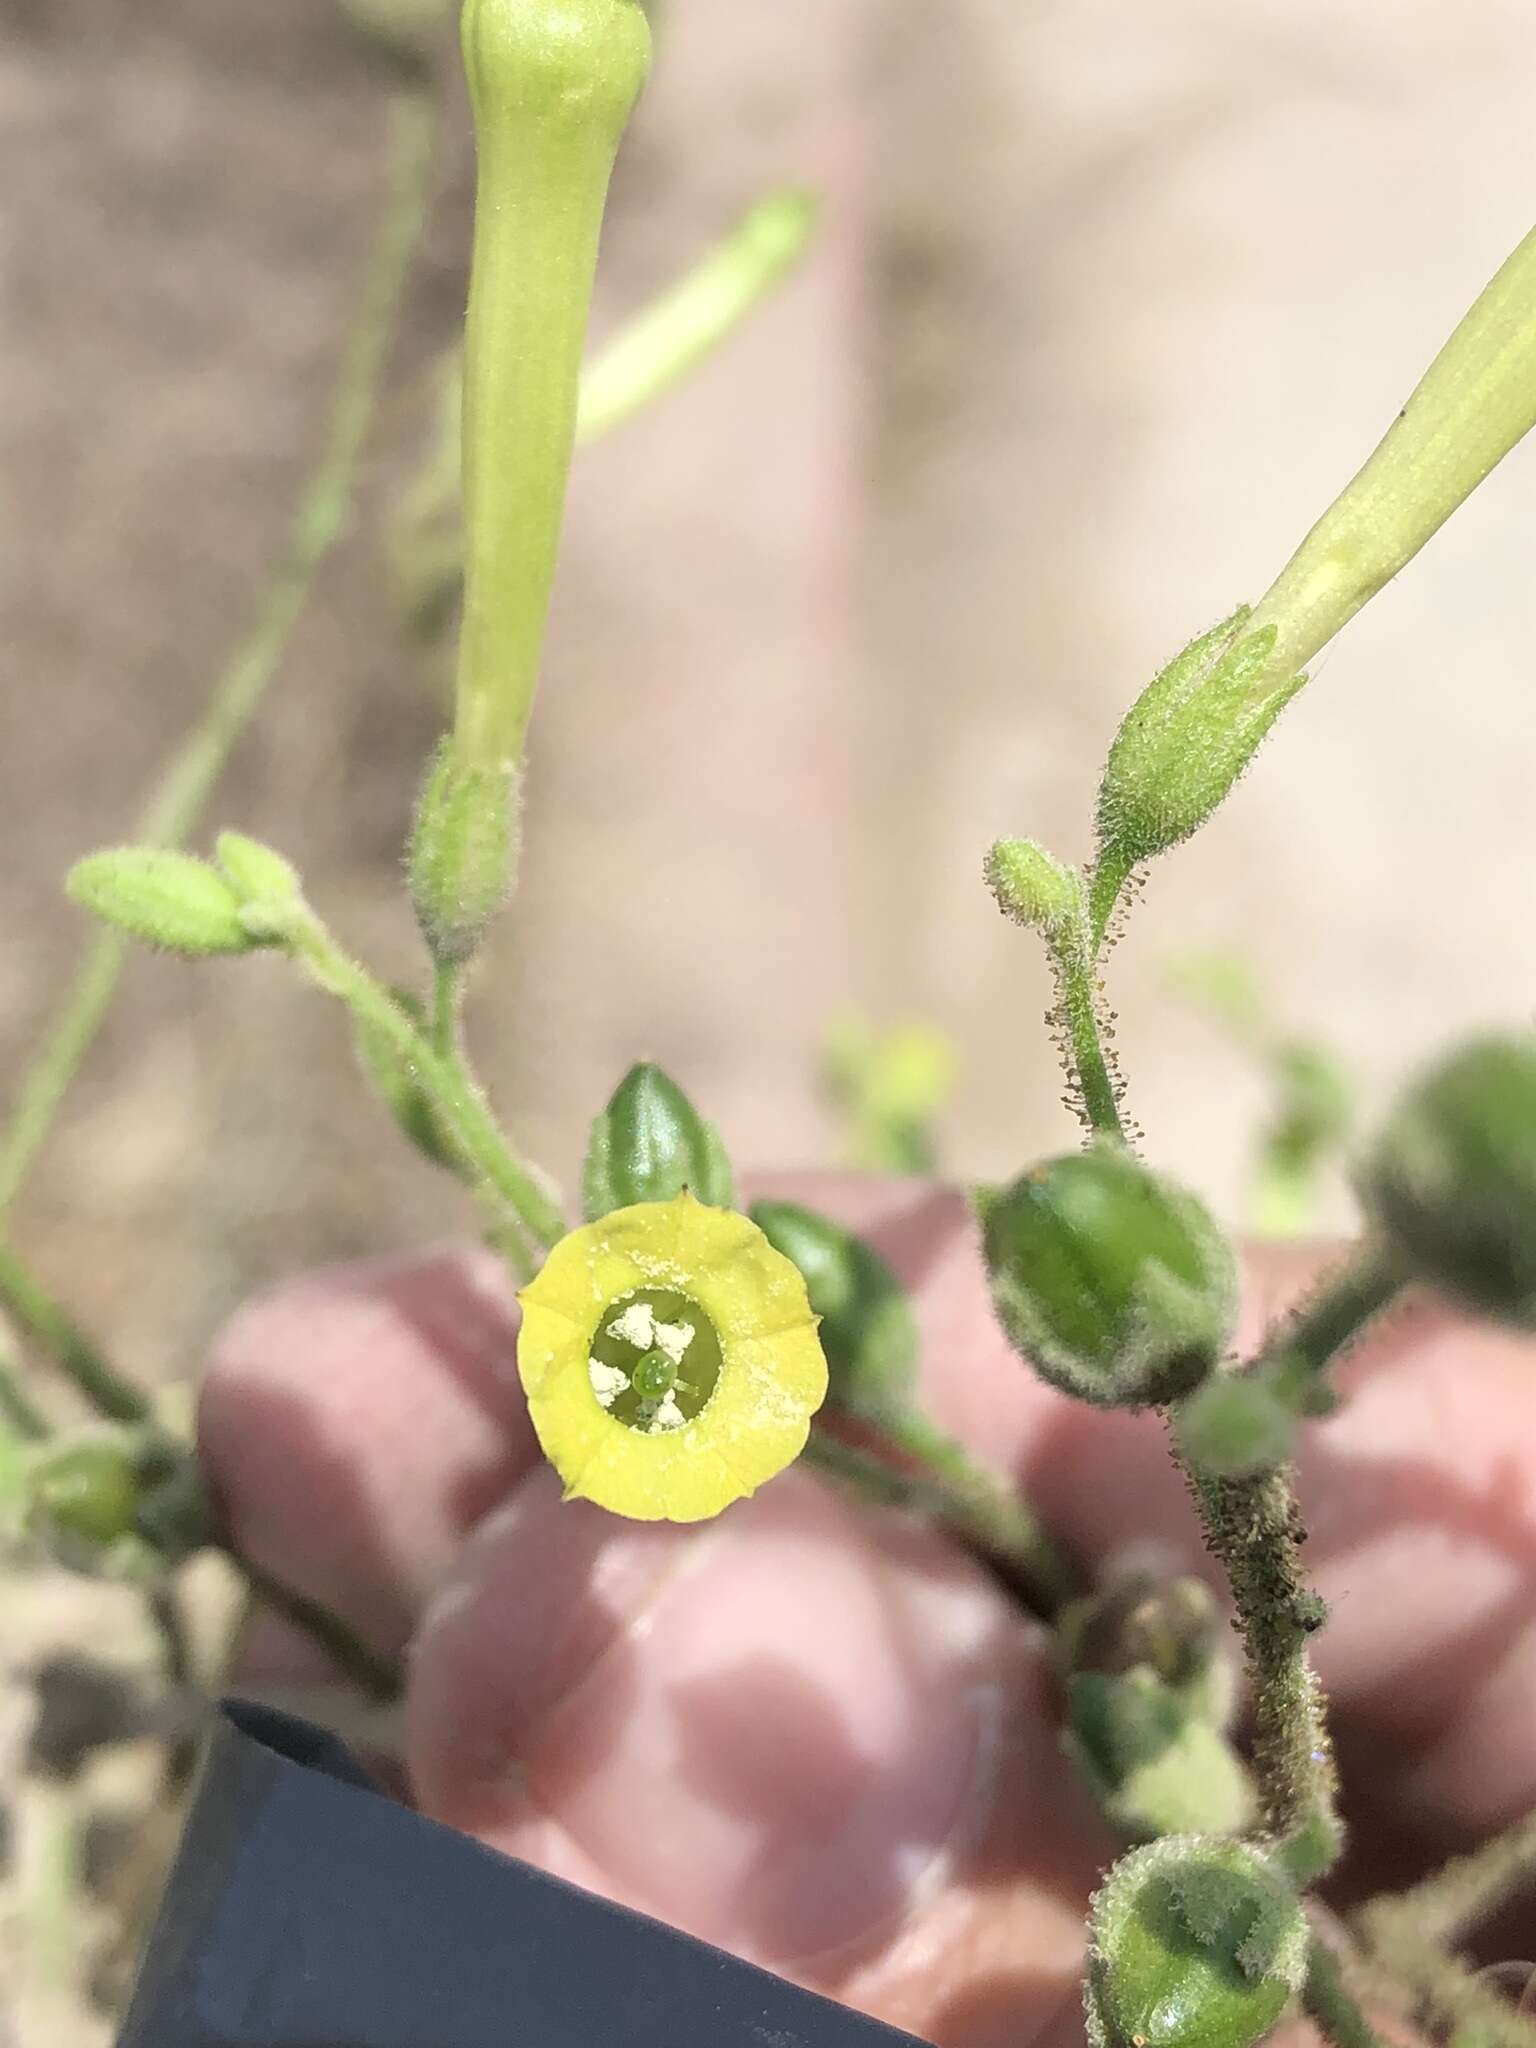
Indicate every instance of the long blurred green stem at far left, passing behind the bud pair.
{"type": "Point", "coordinates": [194, 773]}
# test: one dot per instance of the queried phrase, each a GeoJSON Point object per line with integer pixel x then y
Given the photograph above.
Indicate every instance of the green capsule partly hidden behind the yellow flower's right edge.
{"type": "Point", "coordinates": [869, 1332]}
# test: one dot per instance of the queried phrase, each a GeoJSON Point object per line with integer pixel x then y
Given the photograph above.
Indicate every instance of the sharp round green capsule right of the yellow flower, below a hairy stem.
{"type": "Point", "coordinates": [1109, 1279]}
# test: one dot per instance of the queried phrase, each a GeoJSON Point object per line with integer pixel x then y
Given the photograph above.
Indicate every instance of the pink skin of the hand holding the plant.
{"type": "Point", "coordinates": [822, 1738]}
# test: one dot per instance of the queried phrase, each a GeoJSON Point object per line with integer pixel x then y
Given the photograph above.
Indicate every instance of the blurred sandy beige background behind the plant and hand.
{"type": "Point", "coordinates": [1109, 304]}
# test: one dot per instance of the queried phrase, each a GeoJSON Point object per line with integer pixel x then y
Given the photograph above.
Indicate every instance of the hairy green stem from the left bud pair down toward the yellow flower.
{"type": "Point", "coordinates": [447, 1082]}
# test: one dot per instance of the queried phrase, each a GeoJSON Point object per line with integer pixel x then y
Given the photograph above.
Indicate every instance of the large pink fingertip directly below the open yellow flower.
{"type": "Point", "coordinates": [773, 1732]}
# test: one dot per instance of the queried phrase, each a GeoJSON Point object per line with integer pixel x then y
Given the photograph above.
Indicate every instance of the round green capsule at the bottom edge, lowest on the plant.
{"type": "Point", "coordinates": [1193, 1945]}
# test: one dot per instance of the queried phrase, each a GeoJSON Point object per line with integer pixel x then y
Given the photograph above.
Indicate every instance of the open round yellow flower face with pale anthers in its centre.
{"type": "Point", "coordinates": [671, 1361]}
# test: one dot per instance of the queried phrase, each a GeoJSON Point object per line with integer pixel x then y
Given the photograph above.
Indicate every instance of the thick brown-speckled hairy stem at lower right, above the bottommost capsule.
{"type": "Point", "coordinates": [1254, 1529]}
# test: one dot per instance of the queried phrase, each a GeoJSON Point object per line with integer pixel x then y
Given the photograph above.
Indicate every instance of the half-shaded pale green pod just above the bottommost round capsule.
{"type": "Point", "coordinates": [1154, 1764]}
